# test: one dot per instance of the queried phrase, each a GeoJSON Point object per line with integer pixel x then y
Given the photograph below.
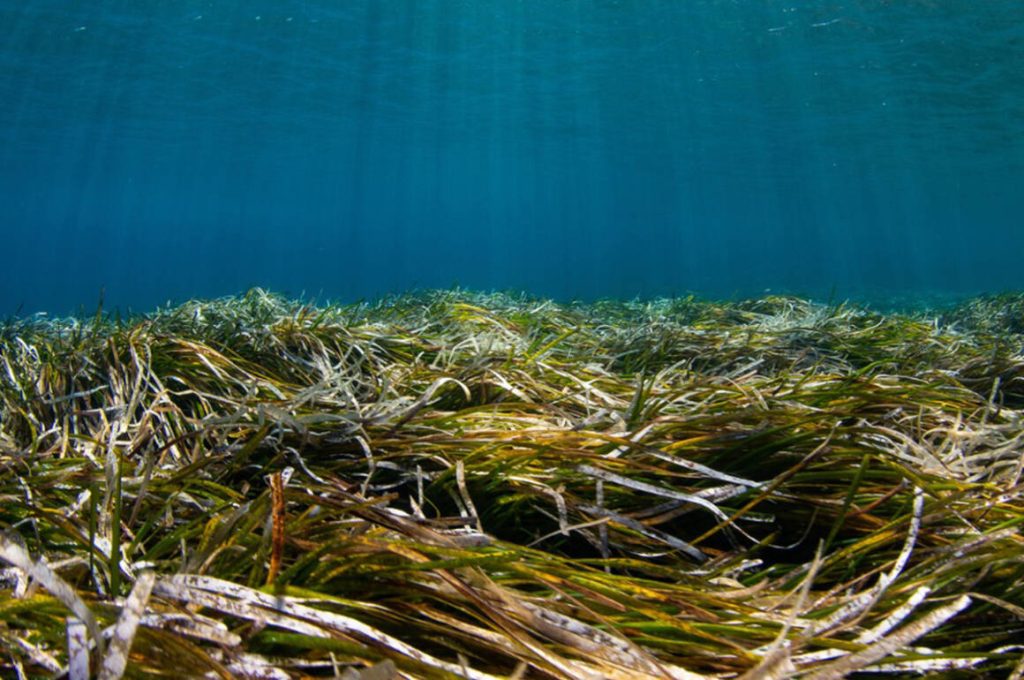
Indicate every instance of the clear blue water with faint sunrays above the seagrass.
{"type": "Point", "coordinates": [159, 151]}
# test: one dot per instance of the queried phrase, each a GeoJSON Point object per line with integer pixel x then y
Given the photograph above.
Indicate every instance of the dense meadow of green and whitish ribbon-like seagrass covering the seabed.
{"type": "Point", "coordinates": [465, 486]}
